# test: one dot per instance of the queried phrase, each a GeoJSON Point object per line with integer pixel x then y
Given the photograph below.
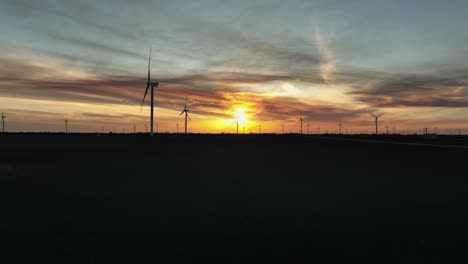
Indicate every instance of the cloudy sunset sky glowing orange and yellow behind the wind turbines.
{"type": "Point", "coordinates": [261, 62]}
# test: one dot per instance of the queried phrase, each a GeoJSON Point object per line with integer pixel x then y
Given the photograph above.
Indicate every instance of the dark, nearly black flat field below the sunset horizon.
{"type": "Point", "coordinates": [235, 199]}
